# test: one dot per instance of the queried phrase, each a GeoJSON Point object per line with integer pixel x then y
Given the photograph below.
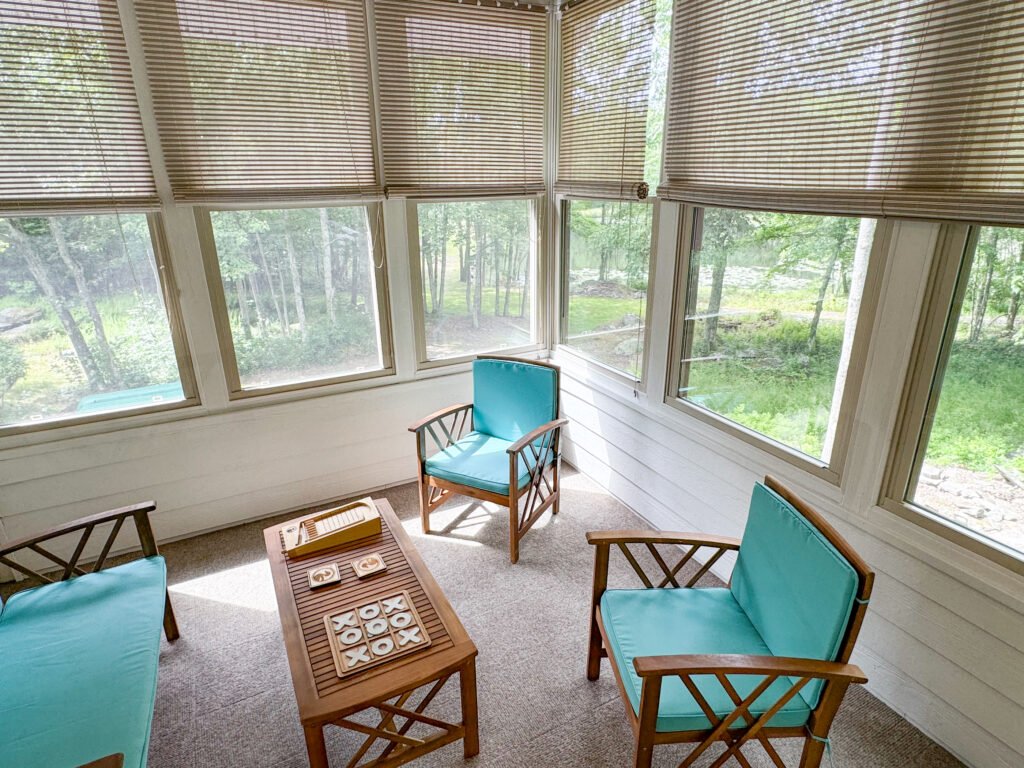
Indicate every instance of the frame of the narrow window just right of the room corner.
{"type": "Point", "coordinates": [564, 346]}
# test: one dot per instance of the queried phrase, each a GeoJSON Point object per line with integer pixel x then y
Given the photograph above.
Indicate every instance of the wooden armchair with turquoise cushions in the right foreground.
{"type": "Point", "coordinates": [766, 657]}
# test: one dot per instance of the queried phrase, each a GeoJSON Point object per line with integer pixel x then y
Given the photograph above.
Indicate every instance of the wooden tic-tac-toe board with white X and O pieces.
{"type": "Point", "coordinates": [375, 632]}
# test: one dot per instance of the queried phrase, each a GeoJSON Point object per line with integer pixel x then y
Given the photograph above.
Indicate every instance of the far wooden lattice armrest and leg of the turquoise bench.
{"type": "Point", "coordinates": [140, 514]}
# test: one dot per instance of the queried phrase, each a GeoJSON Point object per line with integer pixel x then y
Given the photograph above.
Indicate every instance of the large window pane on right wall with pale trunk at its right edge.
{"type": "Point", "coordinates": [772, 304]}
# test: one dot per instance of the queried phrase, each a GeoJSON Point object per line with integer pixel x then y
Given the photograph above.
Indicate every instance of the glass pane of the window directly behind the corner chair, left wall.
{"type": "Point", "coordinates": [478, 267]}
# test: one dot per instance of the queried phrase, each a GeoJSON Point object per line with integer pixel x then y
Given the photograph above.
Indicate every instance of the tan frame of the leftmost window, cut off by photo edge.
{"type": "Point", "coordinates": [180, 342]}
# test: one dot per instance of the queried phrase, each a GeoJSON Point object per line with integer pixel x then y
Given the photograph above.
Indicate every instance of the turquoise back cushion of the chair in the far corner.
{"type": "Point", "coordinates": [513, 399]}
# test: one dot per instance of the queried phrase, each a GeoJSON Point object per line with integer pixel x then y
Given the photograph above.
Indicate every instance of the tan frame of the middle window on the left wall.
{"type": "Point", "coordinates": [222, 319]}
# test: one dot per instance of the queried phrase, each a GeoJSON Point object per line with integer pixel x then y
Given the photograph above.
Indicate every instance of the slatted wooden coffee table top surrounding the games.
{"type": "Point", "coordinates": [313, 606]}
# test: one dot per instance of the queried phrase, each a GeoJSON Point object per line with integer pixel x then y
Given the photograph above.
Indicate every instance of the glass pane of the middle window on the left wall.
{"type": "Point", "coordinates": [302, 295]}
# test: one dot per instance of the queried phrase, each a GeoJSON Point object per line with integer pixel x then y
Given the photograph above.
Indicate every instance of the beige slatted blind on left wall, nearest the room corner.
{"type": "Point", "coordinates": [462, 91]}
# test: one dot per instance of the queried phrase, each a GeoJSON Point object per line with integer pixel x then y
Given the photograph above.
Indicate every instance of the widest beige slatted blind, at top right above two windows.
{"type": "Point", "coordinates": [864, 107]}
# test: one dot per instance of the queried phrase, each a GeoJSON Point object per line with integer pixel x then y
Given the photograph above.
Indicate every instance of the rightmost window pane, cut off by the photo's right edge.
{"type": "Point", "coordinates": [969, 467]}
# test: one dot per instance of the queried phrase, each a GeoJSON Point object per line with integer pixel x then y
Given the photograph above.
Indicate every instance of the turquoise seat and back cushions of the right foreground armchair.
{"type": "Point", "coordinates": [792, 595]}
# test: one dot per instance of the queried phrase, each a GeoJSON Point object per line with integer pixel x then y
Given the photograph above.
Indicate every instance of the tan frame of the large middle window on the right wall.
{"type": "Point", "coordinates": [834, 470]}
